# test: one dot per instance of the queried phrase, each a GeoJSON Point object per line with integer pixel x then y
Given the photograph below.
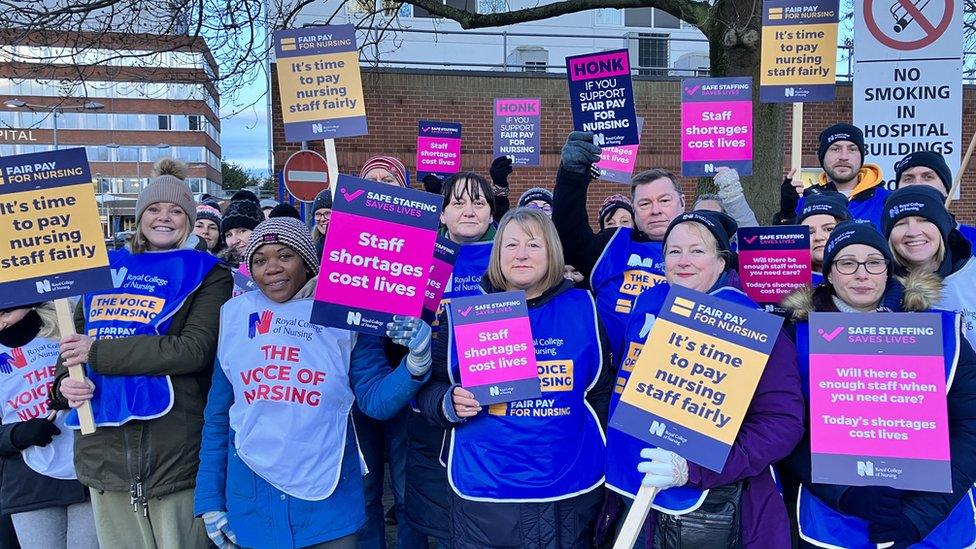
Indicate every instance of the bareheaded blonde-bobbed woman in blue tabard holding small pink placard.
{"type": "Point", "coordinates": [528, 480]}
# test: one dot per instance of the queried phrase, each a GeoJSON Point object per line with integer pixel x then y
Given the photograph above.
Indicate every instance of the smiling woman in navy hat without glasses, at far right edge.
{"type": "Point", "coordinates": [924, 237]}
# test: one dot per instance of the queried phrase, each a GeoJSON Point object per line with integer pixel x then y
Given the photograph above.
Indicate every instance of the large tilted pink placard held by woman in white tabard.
{"type": "Point", "coordinates": [377, 255]}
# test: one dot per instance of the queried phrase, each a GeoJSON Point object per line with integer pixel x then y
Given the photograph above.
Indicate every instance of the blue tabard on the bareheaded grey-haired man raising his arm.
{"type": "Point", "coordinates": [624, 270]}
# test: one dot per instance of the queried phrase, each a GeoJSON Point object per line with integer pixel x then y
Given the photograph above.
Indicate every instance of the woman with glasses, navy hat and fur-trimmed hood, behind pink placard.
{"type": "Point", "coordinates": [858, 271]}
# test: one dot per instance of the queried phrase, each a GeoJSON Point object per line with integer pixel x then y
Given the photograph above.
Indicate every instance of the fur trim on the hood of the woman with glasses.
{"type": "Point", "coordinates": [913, 293]}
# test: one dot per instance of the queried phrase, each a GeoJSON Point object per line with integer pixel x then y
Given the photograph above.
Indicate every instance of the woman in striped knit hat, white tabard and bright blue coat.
{"type": "Point", "coordinates": [279, 464]}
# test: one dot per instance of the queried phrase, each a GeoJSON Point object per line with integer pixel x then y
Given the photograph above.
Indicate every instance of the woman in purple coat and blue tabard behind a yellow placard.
{"type": "Point", "coordinates": [739, 506]}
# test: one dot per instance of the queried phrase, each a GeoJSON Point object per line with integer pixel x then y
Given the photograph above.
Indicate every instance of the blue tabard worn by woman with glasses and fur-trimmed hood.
{"type": "Point", "coordinates": [825, 526]}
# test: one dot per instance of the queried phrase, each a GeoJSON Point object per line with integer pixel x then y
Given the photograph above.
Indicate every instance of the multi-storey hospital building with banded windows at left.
{"type": "Point", "coordinates": [129, 99]}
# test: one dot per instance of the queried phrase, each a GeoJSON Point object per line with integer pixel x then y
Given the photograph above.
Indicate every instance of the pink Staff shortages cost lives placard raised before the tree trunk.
{"type": "Point", "coordinates": [716, 125]}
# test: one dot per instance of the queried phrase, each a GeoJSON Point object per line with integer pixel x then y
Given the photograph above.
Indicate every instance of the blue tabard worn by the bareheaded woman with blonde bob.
{"type": "Point", "coordinates": [545, 449]}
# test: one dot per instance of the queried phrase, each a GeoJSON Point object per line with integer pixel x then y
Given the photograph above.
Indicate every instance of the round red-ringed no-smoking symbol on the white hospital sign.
{"type": "Point", "coordinates": [905, 13]}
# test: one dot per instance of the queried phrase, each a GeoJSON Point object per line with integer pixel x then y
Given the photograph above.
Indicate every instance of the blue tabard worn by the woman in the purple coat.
{"type": "Point", "coordinates": [623, 450]}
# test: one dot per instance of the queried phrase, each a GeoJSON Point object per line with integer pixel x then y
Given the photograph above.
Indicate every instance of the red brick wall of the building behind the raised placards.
{"type": "Point", "coordinates": [397, 99]}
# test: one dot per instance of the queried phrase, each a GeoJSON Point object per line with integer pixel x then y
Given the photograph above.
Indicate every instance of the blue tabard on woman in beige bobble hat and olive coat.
{"type": "Point", "coordinates": [150, 288]}
